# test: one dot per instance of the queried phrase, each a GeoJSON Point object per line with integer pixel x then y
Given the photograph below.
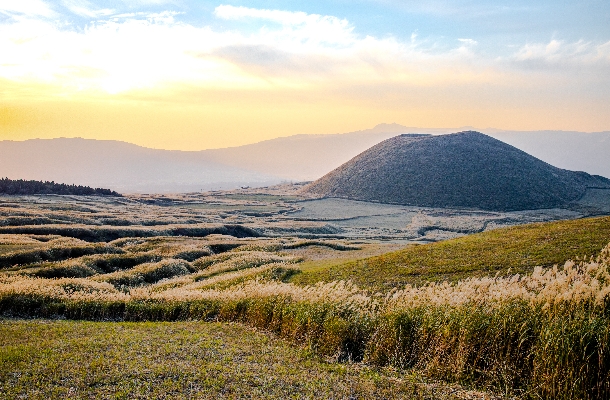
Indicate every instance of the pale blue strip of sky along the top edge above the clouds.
{"type": "Point", "coordinates": [487, 22]}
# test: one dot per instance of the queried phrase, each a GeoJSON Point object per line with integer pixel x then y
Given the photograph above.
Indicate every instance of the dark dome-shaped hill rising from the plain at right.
{"type": "Point", "coordinates": [464, 169]}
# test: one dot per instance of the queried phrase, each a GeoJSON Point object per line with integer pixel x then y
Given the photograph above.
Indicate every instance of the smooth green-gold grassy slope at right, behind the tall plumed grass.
{"type": "Point", "coordinates": [518, 248]}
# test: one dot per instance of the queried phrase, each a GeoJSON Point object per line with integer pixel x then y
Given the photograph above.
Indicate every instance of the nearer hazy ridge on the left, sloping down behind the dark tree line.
{"type": "Point", "coordinates": [120, 166]}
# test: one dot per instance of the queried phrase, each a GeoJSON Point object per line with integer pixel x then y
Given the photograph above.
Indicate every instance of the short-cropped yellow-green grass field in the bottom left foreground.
{"type": "Point", "coordinates": [42, 359]}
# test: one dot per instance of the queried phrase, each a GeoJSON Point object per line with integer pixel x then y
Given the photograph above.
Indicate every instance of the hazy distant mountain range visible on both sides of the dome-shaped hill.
{"type": "Point", "coordinates": [126, 167]}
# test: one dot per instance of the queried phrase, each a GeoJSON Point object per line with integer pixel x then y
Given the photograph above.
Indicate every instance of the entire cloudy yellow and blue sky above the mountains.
{"type": "Point", "coordinates": [192, 75]}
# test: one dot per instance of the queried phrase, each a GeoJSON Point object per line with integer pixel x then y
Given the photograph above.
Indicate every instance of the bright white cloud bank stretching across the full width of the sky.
{"type": "Point", "coordinates": [286, 50]}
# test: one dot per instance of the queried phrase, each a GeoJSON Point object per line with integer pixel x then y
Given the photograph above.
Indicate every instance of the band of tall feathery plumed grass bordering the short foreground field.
{"type": "Point", "coordinates": [545, 335]}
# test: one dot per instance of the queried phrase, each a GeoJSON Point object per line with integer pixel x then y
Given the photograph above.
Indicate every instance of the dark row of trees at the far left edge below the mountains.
{"type": "Point", "coordinates": [20, 186]}
